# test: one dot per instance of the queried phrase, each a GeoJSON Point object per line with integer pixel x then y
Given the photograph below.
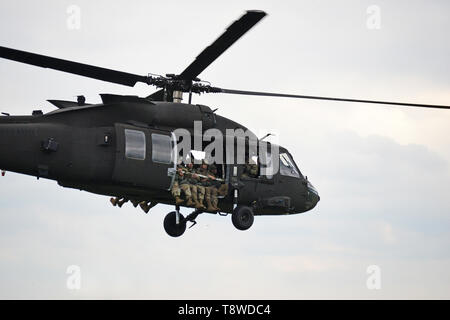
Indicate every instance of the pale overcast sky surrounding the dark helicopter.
{"type": "Point", "coordinates": [382, 172]}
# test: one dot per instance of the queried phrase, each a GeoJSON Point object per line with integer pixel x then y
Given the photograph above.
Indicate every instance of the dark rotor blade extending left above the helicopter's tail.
{"type": "Point", "coordinates": [119, 77]}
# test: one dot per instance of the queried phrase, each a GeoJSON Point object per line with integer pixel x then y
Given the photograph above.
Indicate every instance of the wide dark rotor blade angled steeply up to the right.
{"type": "Point", "coordinates": [226, 40]}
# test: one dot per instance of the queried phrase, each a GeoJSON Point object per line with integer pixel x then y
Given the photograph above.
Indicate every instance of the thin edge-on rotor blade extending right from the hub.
{"type": "Point", "coordinates": [282, 95]}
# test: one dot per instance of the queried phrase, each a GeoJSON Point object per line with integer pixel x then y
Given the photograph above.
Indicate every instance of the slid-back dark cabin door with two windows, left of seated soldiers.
{"type": "Point", "coordinates": [144, 157]}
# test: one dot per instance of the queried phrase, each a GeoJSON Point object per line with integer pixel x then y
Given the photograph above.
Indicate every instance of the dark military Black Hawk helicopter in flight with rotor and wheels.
{"type": "Point", "coordinates": [125, 146]}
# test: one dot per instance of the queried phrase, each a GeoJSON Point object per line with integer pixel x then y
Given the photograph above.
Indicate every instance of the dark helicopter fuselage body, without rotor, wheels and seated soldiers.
{"type": "Point", "coordinates": [84, 147]}
